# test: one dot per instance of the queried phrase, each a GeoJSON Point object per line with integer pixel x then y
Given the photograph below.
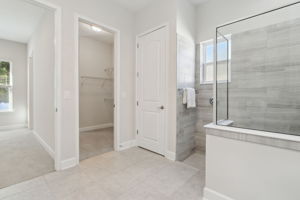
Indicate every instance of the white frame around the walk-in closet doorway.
{"type": "Point", "coordinates": [116, 80]}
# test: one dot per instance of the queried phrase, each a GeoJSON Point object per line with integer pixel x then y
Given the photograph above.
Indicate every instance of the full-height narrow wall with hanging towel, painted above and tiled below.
{"type": "Point", "coordinates": [186, 118]}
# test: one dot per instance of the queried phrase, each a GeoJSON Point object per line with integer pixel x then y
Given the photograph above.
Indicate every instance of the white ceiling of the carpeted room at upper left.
{"type": "Point", "coordinates": [18, 20]}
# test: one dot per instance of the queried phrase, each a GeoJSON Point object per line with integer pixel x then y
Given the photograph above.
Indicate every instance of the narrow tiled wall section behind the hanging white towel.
{"type": "Point", "coordinates": [186, 118]}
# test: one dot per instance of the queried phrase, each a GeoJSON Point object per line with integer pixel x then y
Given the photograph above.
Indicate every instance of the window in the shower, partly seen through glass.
{"type": "Point", "coordinates": [207, 61]}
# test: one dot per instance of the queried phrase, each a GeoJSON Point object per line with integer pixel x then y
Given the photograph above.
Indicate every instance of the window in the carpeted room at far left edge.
{"type": "Point", "coordinates": [5, 86]}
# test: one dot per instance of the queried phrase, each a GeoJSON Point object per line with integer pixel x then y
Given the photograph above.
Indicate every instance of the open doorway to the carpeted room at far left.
{"type": "Point", "coordinates": [27, 96]}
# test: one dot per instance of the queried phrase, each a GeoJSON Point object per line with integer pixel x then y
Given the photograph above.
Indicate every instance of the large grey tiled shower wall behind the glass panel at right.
{"type": "Point", "coordinates": [264, 92]}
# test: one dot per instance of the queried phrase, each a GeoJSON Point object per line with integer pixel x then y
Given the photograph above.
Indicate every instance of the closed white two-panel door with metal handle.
{"type": "Point", "coordinates": [151, 90]}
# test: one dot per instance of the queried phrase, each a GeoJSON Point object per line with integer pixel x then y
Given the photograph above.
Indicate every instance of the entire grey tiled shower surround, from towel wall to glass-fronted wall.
{"type": "Point", "coordinates": [264, 92]}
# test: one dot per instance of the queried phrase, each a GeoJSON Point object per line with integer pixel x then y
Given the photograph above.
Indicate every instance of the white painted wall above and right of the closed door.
{"type": "Point", "coordinates": [156, 14]}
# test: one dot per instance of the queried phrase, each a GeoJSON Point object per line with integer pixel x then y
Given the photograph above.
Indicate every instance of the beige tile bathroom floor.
{"type": "Point", "coordinates": [133, 174]}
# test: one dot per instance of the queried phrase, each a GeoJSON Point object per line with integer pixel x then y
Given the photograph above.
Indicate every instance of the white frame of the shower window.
{"type": "Point", "coordinates": [203, 63]}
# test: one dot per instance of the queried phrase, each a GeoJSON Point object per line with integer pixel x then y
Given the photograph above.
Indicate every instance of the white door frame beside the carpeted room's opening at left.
{"type": "Point", "coordinates": [57, 77]}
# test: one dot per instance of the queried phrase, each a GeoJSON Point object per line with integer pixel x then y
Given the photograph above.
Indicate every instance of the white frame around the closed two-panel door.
{"type": "Point", "coordinates": [167, 26]}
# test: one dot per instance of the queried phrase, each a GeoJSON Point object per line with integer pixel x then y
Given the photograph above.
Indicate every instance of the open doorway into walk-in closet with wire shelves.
{"type": "Point", "coordinates": [98, 69]}
